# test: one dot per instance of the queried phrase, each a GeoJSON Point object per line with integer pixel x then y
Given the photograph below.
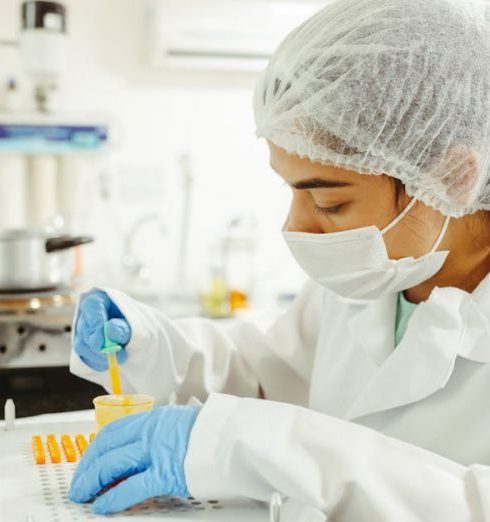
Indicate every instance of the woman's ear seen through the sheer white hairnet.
{"type": "Point", "coordinates": [460, 173]}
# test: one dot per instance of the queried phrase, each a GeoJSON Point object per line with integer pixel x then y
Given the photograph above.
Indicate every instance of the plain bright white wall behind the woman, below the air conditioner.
{"type": "Point", "coordinates": [160, 115]}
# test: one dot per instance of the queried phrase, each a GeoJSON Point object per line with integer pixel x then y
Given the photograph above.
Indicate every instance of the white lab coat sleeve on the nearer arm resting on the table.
{"type": "Point", "coordinates": [249, 447]}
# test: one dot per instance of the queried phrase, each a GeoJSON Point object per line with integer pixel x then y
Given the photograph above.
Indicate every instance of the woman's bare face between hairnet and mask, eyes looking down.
{"type": "Point", "coordinates": [331, 199]}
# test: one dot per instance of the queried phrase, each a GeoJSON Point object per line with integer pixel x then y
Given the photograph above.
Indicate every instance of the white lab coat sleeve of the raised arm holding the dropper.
{"type": "Point", "coordinates": [195, 357]}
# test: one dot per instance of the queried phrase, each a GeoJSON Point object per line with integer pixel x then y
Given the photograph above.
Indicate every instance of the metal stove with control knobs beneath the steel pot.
{"type": "Point", "coordinates": [35, 337]}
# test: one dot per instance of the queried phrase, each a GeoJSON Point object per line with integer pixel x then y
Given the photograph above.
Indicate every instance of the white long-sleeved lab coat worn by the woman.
{"type": "Point", "coordinates": [352, 426]}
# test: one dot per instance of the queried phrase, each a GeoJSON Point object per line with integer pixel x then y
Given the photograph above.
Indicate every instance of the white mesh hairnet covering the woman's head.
{"type": "Point", "coordinates": [396, 87]}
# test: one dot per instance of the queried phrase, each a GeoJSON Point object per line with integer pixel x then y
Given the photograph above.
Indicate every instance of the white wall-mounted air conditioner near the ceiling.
{"type": "Point", "coordinates": [222, 34]}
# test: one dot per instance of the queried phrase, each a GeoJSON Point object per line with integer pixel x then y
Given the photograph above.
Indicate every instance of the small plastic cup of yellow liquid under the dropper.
{"type": "Point", "coordinates": [111, 407]}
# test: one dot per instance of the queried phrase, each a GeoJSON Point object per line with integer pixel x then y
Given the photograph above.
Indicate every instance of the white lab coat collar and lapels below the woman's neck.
{"type": "Point", "coordinates": [449, 324]}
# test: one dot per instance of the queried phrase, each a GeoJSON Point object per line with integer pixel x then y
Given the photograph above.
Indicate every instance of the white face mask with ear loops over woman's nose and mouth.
{"type": "Point", "coordinates": [355, 263]}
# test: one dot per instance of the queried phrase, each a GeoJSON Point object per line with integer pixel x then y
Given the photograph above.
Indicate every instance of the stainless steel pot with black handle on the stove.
{"type": "Point", "coordinates": [32, 260]}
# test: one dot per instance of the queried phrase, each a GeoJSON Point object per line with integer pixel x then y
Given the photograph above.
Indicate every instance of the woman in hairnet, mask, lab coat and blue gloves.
{"type": "Point", "coordinates": [377, 380]}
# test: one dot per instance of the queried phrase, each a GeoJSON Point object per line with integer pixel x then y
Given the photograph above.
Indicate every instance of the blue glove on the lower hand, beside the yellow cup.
{"type": "Point", "coordinates": [148, 447]}
